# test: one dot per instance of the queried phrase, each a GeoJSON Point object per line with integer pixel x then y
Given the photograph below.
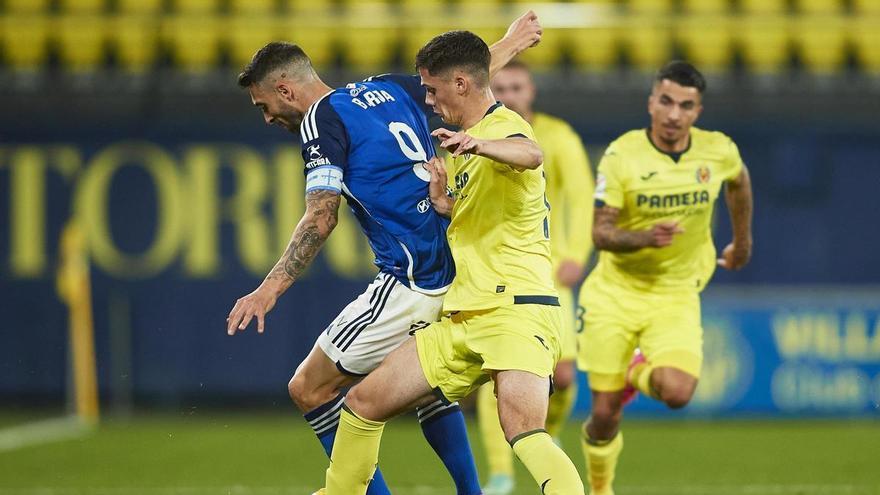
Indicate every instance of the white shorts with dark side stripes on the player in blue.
{"type": "Point", "coordinates": [376, 323]}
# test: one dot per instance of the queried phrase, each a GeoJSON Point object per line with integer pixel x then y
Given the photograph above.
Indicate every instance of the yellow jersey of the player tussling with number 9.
{"type": "Point", "coordinates": [499, 234]}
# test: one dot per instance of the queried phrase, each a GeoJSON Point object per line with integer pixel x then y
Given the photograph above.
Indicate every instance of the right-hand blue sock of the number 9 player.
{"type": "Point", "coordinates": [443, 426]}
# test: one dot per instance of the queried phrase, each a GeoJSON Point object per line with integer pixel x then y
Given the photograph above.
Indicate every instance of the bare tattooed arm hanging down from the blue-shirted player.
{"type": "Point", "coordinates": [321, 216]}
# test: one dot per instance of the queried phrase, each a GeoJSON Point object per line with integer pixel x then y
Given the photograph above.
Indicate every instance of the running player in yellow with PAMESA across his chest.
{"type": "Point", "coordinates": [655, 193]}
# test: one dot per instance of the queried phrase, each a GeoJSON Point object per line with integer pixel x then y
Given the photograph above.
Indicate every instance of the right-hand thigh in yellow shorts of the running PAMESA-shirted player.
{"type": "Point", "coordinates": [673, 336]}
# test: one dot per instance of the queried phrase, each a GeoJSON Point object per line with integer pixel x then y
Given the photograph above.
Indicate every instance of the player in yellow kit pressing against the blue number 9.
{"type": "Point", "coordinates": [502, 320]}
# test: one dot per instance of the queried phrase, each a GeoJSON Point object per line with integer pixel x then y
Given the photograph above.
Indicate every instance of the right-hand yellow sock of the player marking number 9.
{"type": "Point", "coordinates": [548, 464]}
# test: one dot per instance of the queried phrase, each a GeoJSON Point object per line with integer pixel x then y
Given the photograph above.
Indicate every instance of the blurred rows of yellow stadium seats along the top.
{"type": "Point", "coordinates": [371, 36]}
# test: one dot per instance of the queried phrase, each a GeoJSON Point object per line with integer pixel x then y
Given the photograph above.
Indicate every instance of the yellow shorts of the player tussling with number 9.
{"type": "Point", "coordinates": [458, 353]}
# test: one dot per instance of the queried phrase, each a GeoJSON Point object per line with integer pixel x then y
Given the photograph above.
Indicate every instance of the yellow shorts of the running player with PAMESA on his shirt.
{"type": "Point", "coordinates": [665, 327]}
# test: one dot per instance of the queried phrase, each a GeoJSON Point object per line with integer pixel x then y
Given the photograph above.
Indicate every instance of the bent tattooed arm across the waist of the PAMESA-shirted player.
{"type": "Point", "coordinates": [608, 237]}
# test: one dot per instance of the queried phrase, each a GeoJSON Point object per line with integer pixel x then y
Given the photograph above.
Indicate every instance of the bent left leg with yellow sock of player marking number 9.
{"type": "Point", "coordinates": [392, 388]}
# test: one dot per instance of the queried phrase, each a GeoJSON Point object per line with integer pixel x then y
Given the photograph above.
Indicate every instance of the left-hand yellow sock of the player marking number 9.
{"type": "Point", "coordinates": [355, 454]}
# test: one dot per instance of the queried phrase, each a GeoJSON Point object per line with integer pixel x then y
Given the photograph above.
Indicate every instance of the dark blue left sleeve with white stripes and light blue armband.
{"type": "Point", "coordinates": [325, 148]}
